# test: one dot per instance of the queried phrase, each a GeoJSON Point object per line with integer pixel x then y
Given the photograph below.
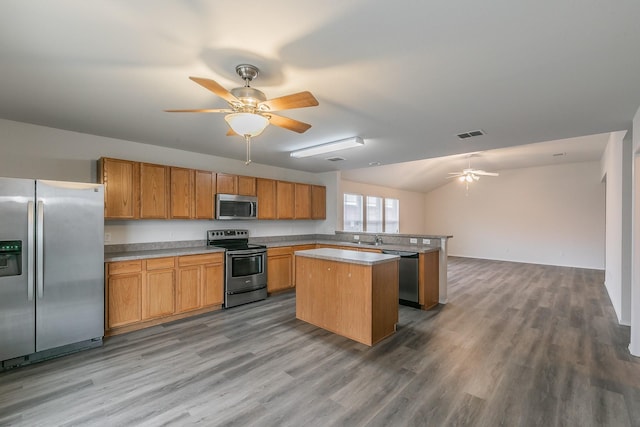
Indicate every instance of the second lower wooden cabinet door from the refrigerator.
{"type": "Point", "coordinates": [158, 294]}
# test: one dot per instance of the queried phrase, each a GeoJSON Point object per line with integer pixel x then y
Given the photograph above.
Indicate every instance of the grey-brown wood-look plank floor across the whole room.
{"type": "Point", "coordinates": [517, 345]}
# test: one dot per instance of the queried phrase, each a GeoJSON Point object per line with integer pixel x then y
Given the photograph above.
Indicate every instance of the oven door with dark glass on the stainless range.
{"type": "Point", "coordinates": [246, 270]}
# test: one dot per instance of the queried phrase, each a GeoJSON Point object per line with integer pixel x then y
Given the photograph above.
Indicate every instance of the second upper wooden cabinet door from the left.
{"type": "Point", "coordinates": [154, 191]}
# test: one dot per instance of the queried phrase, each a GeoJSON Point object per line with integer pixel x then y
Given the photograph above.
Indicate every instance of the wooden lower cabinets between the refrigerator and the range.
{"type": "Point", "coordinates": [143, 293]}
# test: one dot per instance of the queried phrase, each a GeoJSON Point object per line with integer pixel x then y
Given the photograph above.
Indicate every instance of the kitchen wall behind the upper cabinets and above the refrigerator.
{"type": "Point", "coordinates": [30, 151]}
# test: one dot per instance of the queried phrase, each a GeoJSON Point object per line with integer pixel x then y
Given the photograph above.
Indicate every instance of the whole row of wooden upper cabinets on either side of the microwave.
{"type": "Point", "coordinates": [137, 190]}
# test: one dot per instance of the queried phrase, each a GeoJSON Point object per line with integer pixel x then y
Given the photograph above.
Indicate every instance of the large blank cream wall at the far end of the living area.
{"type": "Point", "coordinates": [552, 215]}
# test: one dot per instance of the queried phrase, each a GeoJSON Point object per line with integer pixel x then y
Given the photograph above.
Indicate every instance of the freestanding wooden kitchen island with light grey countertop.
{"type": "Point", "coordinates": [350, 293]}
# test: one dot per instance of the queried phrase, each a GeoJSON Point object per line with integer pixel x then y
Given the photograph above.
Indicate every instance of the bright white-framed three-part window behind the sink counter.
{"type": "Point", "coordinates": [378, 215]}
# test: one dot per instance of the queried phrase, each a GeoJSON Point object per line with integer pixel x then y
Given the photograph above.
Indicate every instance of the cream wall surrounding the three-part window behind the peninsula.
{"type": "Point", "coordinates": [411, 204]}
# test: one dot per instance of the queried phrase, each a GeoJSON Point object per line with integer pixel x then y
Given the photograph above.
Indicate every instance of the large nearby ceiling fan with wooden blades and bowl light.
{"type": "Point", "coordinates": [249, 111]}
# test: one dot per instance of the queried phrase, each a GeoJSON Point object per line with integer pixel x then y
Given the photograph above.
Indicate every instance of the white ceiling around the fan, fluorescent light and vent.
{"type": "Point", "coordinates": [404, 75]}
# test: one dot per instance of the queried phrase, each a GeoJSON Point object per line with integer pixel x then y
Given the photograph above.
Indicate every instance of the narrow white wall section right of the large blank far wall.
{"type": "Point", "coordinates": [616, 167]}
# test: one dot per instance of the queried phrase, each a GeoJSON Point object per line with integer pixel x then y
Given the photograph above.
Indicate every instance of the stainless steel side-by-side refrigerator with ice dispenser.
{"type": "Point", "coordinates": [51, 268]}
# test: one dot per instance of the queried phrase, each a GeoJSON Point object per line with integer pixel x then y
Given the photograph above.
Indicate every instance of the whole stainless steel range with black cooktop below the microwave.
{"type": "Point", "coordinates": [245, 266]}
